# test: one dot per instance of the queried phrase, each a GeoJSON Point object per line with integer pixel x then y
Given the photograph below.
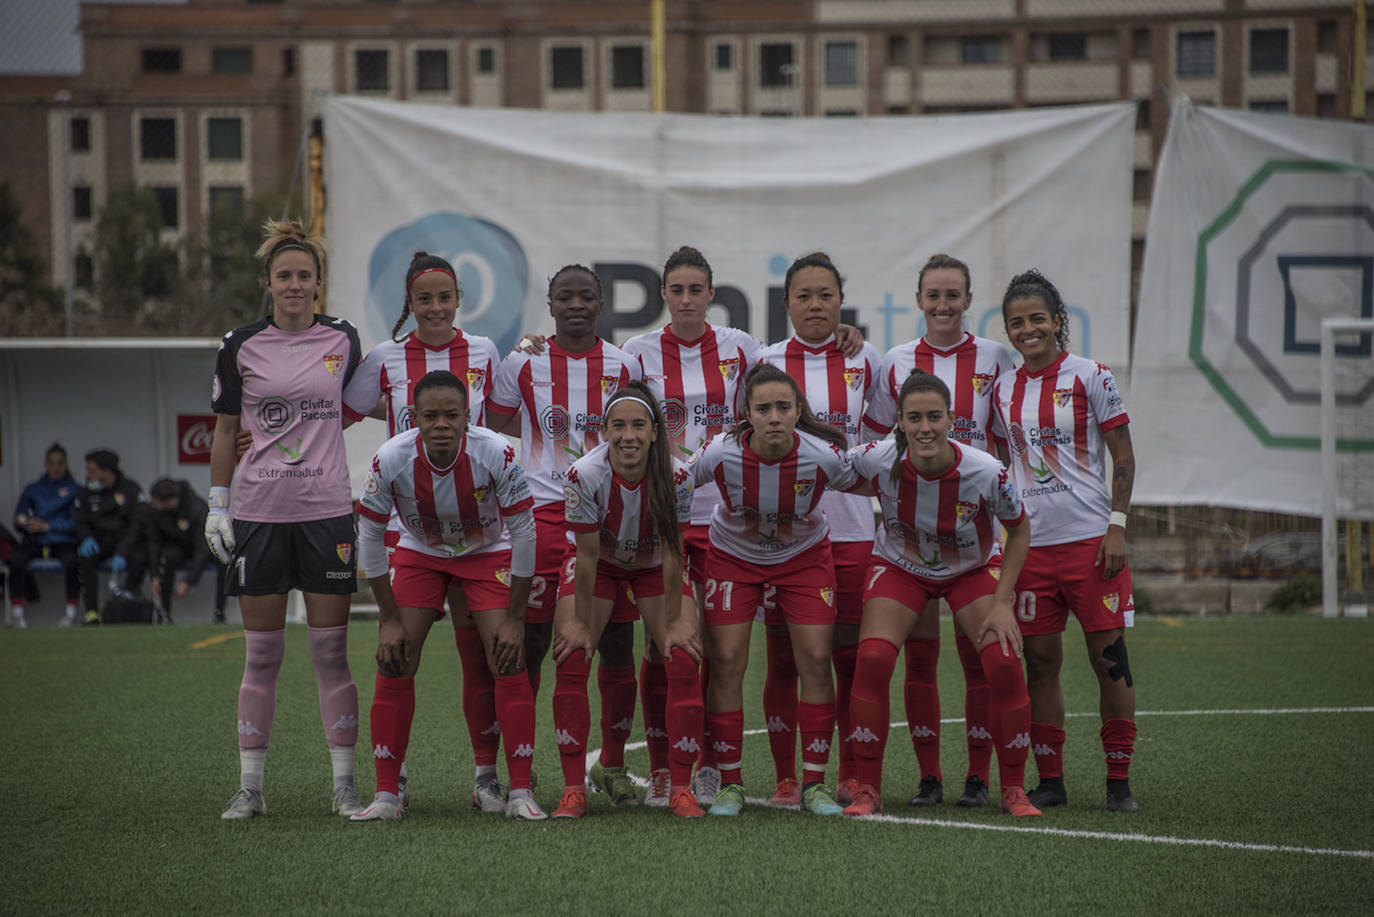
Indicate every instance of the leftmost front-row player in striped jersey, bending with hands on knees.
{"type": "Point", "coordinates": [457, 490]}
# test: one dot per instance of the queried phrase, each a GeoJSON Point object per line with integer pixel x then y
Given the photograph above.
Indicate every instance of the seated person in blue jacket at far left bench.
{"type": "Point", "coordinates": [46, 522]}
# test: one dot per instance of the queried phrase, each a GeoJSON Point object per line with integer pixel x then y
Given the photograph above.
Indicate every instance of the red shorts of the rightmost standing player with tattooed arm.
{"type": "Point", "coordinates": [1061, 578]}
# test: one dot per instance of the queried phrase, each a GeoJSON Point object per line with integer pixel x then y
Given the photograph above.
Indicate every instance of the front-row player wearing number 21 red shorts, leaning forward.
{"type": "Point", "coordinates": [769, 531]}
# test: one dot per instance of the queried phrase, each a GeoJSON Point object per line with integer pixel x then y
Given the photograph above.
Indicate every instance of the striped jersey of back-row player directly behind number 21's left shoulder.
{"type": "Point", "coordinates": [837, 390]}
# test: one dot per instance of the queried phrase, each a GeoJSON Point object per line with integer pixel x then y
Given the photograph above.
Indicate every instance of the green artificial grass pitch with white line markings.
{"type": "Point", "coordinates": [120, 755]}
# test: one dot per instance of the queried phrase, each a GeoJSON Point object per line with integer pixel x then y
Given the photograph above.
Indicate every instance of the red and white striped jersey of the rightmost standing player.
{"type": "Point", "coordinates": [1053, 421]}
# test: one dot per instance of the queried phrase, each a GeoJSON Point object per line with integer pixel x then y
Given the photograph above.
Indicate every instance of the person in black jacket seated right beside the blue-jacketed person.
{"type": "Point", "coordinates": [105, 515]}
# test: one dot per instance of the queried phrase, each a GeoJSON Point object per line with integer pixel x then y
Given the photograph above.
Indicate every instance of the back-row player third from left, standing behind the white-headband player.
{"type": "Point", "coordinates": [560, 397]}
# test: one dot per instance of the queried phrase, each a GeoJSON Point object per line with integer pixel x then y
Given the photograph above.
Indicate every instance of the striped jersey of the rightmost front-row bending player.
{"type": "Point", "coordinates": [946, 526]}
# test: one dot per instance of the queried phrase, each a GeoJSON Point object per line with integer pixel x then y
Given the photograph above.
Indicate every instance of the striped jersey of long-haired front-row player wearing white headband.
{"type": "Point", "coordinates": [598, 500]}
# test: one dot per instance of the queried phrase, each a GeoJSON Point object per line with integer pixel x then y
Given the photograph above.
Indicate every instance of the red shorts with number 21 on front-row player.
{"type": "Point", "coordinates": [800, 592]}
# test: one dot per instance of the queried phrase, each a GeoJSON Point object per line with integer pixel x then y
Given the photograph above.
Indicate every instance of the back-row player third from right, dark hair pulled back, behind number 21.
{"type": "Point", "coordinates": [836, 387]}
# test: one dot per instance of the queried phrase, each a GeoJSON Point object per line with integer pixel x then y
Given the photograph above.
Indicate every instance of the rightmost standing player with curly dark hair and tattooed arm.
{"type": "Point", "coordinates": [1060, 415]}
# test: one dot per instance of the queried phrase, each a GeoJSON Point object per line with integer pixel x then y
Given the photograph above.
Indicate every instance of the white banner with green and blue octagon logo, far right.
{"type": "Point", "coordinates": [1262, 226]}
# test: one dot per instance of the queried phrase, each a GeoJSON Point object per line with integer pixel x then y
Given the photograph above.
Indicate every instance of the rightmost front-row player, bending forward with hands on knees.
{"type": "Point", "coordinates": [941, 507]}
